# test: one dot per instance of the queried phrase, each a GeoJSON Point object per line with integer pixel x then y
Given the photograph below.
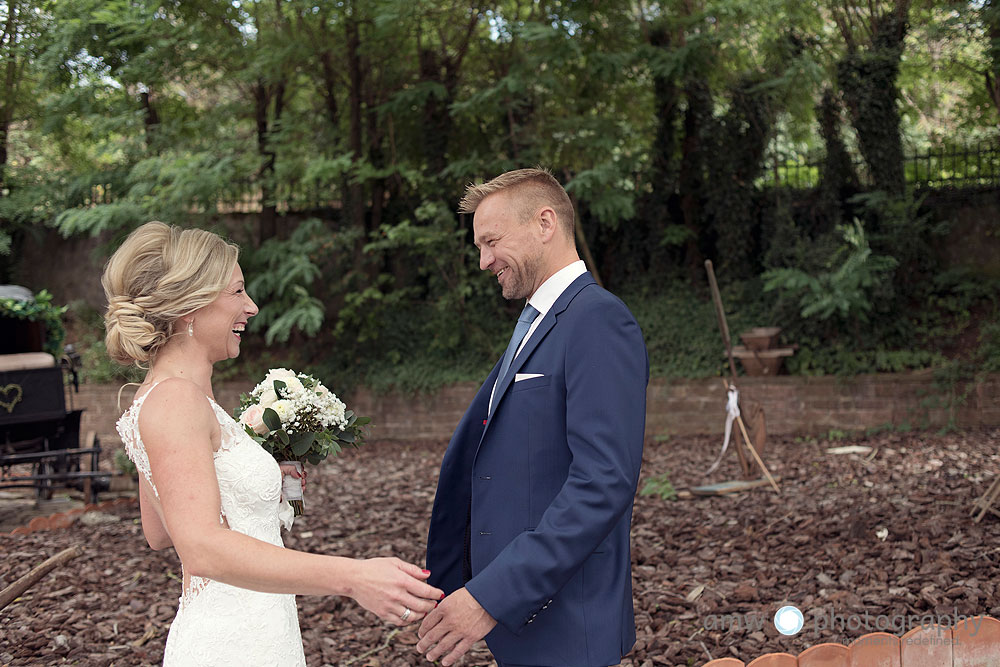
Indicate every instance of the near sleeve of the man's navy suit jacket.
{"type": "Point", "coordinates": [606, 371]}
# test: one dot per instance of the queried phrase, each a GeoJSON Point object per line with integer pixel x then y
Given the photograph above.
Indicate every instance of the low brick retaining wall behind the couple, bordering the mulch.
{"type": "Point", "coordinates": [680, 407]}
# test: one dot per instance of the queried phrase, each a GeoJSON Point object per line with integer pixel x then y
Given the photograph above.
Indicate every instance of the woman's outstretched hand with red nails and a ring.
{"type": "Point", "coordinates": [388, 587]}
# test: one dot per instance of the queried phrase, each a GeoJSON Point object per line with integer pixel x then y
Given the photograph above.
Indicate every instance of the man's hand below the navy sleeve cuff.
{"type": "Point", "coordinates": [453, 627]}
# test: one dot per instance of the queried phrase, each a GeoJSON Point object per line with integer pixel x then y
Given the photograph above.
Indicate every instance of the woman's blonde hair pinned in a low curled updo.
{"type": "Point", "coordinates": [160, 274]}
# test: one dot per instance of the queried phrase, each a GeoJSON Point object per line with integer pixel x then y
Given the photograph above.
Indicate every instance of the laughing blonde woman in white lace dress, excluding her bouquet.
{"type": "Point", "coordinates": [177, 302]}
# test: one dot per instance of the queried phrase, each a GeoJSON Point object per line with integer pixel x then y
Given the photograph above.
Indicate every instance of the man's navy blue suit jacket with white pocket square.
{"type": "Point", "coordinates": [545, 488]}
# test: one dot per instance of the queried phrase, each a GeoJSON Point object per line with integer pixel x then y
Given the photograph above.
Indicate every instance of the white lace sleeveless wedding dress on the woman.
{"type": "Point", "coordinates": [219, 624]}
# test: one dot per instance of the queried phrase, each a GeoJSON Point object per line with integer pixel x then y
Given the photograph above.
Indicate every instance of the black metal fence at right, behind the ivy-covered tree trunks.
{"type": "Point", "coordinates": [976, 165]}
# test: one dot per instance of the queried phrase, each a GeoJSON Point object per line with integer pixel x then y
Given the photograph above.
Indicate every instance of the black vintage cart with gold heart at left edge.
{"type": "Point", "coordinates": [40, 444]}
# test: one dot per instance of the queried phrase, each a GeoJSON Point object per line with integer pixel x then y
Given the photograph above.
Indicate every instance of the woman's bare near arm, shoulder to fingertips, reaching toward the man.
{"type": "Point", "coordinates": [177, 424]}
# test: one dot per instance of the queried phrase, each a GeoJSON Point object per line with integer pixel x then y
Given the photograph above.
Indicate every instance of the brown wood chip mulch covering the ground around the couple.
{"type": "Point", "coordinates": [886, 533]}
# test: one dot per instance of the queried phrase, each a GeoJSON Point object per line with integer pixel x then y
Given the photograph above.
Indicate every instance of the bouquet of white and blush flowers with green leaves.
{"type": "Point", "coordinates": [298, 420]}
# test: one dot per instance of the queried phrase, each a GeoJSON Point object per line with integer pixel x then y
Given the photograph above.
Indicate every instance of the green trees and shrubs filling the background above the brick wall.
{"type": "Point", "coordinates": [333, 141]}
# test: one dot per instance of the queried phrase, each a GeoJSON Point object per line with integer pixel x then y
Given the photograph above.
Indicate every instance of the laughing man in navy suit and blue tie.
{"type": "Point", "coordinates": [530, 529]}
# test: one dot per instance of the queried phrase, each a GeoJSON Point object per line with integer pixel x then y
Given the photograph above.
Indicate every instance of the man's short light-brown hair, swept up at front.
{"type": "Point", "coordinates": [530, 189]}
